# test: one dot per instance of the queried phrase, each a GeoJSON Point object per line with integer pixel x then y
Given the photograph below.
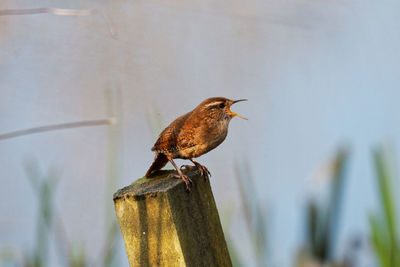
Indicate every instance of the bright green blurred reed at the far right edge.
{"type": "Point", "coordinates": [383, 224]}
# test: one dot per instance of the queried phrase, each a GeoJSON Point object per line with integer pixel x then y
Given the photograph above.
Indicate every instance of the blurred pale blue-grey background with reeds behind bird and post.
{"type": "Point", "coordinates": [305, 181]}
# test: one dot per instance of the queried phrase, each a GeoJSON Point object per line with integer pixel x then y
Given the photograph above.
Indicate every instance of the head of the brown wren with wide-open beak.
{"type": "Point", "coordinates": [219, 108]}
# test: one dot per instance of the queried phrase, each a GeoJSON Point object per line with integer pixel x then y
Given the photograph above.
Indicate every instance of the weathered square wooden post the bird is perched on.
{"type": "Point", "coordinates": [164, 225]}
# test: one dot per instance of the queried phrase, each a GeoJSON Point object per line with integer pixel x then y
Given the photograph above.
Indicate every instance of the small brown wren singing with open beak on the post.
{"type": "Point", "coordinates": [194, 134]}
